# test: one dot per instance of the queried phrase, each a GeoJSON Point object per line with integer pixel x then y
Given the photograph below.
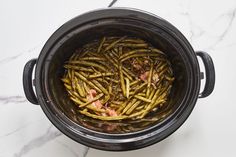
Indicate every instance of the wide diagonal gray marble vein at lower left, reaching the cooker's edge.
{"type": "Point", "coordinates": [38, 142]}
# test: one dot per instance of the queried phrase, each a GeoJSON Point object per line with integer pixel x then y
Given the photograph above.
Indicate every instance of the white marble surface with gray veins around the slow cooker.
{"type": "Point", "coordinates": [26, 25]}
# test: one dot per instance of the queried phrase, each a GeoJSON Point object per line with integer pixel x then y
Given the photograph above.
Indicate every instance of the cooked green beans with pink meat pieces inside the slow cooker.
{"type": "Point", "coordinates": [118, 78]}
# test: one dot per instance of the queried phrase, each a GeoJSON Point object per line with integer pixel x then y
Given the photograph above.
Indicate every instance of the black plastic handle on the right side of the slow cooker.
{"type": "Point", "coordinates": [210, 74]}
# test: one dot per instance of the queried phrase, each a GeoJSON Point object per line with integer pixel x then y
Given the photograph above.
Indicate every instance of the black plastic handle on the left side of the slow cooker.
{"type": "Point", "coordinates": [27, 81]}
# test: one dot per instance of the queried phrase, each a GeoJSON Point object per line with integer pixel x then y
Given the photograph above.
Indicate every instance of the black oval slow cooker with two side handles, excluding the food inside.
{"type": "Point", "coordinates": [51, 96]}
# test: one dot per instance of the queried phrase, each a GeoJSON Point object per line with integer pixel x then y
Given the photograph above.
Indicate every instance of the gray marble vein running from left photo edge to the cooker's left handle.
{"type": "Point", "coordinates": [12, 99]}
